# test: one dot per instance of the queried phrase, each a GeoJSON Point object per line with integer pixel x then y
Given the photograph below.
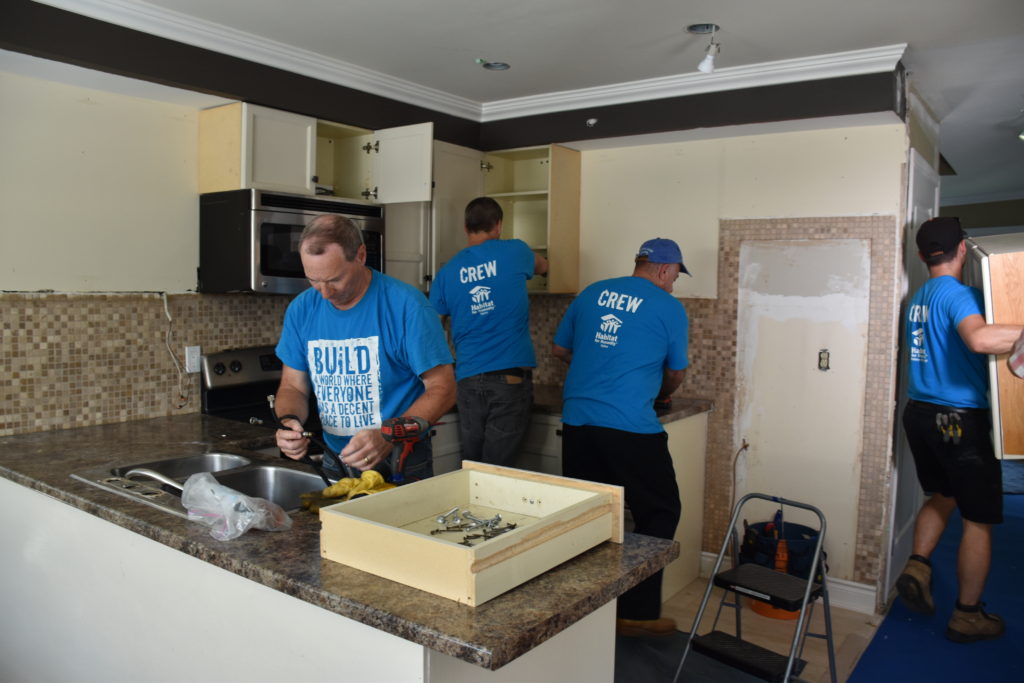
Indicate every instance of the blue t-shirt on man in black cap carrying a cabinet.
{"type": "Point", "coordinates": [943, 369]}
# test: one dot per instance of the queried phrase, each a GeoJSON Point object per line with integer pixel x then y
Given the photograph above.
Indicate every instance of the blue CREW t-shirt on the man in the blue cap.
{"type": "Point", "coordinates": [624, 333]}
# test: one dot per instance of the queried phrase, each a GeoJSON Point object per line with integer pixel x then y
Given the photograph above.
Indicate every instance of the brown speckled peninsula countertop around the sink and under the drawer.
{"type": "Point", "coordinates": [490, 636]}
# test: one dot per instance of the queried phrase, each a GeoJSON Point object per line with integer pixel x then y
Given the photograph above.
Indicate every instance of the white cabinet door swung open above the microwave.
{"type": "Point", "coordinates": [404, 163]}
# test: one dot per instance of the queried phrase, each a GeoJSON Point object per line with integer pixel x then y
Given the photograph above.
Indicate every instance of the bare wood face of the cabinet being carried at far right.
{"type": "Point", "coordinates": [1008, 307]}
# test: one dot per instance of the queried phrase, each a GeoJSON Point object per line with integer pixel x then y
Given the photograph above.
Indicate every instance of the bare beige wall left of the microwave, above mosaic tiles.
{"type": "Point", "coordinates": [98, 191]}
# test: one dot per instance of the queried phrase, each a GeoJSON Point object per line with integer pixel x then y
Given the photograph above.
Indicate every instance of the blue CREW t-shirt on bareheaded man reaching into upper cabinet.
{"type": "Point", "coordinates": [484, 289]}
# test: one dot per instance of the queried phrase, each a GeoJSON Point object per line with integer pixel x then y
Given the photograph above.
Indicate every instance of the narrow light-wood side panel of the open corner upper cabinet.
{"type": "Point", "coordinates": [564, 222]}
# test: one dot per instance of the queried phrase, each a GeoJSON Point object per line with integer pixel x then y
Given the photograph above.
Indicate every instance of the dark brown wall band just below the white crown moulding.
{"type": "Point", "coordinates": [56, 34]}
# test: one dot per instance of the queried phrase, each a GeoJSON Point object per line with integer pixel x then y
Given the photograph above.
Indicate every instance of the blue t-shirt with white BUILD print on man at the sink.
{"type": "Point", "coordinates": [365, 363]}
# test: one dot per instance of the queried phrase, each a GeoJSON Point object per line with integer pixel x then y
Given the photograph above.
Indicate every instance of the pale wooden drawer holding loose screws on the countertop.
{"type": "Point", "coordinates": [390, 534]}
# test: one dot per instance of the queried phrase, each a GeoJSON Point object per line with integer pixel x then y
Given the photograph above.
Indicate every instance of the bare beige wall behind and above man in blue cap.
{"type": "Point", "coordinates": [682, 190]}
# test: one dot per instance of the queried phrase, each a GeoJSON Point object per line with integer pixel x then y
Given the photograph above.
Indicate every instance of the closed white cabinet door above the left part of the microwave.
{"type": "Point", "coordinates": [281, 150]}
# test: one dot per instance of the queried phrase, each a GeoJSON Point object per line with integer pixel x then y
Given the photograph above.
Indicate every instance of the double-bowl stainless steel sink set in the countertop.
{"type": "Point", "coordinates": [280, 485]}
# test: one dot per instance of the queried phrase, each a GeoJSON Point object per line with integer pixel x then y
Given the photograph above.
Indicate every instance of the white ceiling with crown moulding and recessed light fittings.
{"type": "Point", "coordinates": [965, 59]}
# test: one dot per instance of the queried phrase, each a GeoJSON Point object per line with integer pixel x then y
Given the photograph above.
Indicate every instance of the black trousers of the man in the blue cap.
{"type": "Point", "coordinates": [643, 465]}
